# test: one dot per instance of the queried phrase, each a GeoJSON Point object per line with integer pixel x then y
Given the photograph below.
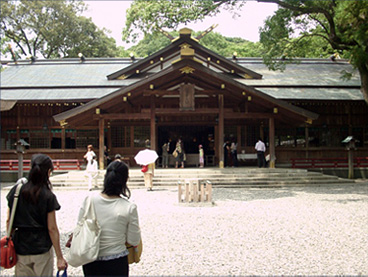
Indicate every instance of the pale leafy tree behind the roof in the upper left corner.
{"type": "Point", "coordinates": [52, 29]}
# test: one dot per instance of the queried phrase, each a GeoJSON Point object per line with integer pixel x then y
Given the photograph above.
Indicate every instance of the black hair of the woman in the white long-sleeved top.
{"type": "Point", "coordinates": [116, 177]}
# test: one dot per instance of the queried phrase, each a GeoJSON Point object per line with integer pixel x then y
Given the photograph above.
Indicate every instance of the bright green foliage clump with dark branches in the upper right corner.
{"type": "Point", "coordinates": [322, 27]}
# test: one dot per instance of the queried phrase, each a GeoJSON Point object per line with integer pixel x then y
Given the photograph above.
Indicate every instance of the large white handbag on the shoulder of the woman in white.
{"type": "Point", "coordinates": [85, 244]}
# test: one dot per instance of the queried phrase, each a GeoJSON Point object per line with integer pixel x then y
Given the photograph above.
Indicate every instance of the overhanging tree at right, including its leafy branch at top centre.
{"type": "Point", "coordinates": [342, 24]}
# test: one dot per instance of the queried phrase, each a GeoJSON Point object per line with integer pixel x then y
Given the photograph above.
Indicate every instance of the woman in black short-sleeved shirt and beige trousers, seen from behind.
{"type": "Point", "coordinates": [35, 222]}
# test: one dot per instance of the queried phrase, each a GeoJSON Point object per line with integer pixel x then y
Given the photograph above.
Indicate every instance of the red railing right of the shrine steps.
{"type": "Point", "coordinates": [328, 163]}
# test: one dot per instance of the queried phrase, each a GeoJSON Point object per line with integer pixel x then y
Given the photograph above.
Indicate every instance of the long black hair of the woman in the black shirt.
{"type": "Point", "coordinates": [38, 177]}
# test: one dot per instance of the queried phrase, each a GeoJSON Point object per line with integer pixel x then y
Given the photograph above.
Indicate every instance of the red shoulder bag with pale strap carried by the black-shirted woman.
{"type": "Point", "coordinates": [8, 257]}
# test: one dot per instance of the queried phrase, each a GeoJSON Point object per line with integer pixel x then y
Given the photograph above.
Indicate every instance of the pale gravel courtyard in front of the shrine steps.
{"type": "Point", "coordinates": [287, 231]}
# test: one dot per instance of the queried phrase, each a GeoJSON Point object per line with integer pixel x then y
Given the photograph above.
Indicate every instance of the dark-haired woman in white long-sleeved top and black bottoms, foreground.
{"type": "Point", "coordinates": [118, 219]}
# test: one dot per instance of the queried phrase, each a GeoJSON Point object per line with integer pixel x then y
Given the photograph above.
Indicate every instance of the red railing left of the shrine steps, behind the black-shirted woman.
{"type": "Point", "coordinates": [67, 164]}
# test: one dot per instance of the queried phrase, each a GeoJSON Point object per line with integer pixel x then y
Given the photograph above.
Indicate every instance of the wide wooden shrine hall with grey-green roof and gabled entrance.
{"type": "Point", "coordinates": [182, 91]}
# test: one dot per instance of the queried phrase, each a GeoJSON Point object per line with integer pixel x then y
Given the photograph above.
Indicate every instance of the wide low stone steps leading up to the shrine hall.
{"type": "Point", "coordinates": [229, 177]}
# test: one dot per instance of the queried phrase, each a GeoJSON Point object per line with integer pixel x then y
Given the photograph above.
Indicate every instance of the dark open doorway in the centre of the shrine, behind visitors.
{"type": "Point", "coordinates": [192, 137]}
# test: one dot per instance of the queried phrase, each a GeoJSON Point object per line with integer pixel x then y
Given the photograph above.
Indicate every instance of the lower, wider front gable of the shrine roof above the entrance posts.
{"type": "Point", "coordinates": [186, 70]}
